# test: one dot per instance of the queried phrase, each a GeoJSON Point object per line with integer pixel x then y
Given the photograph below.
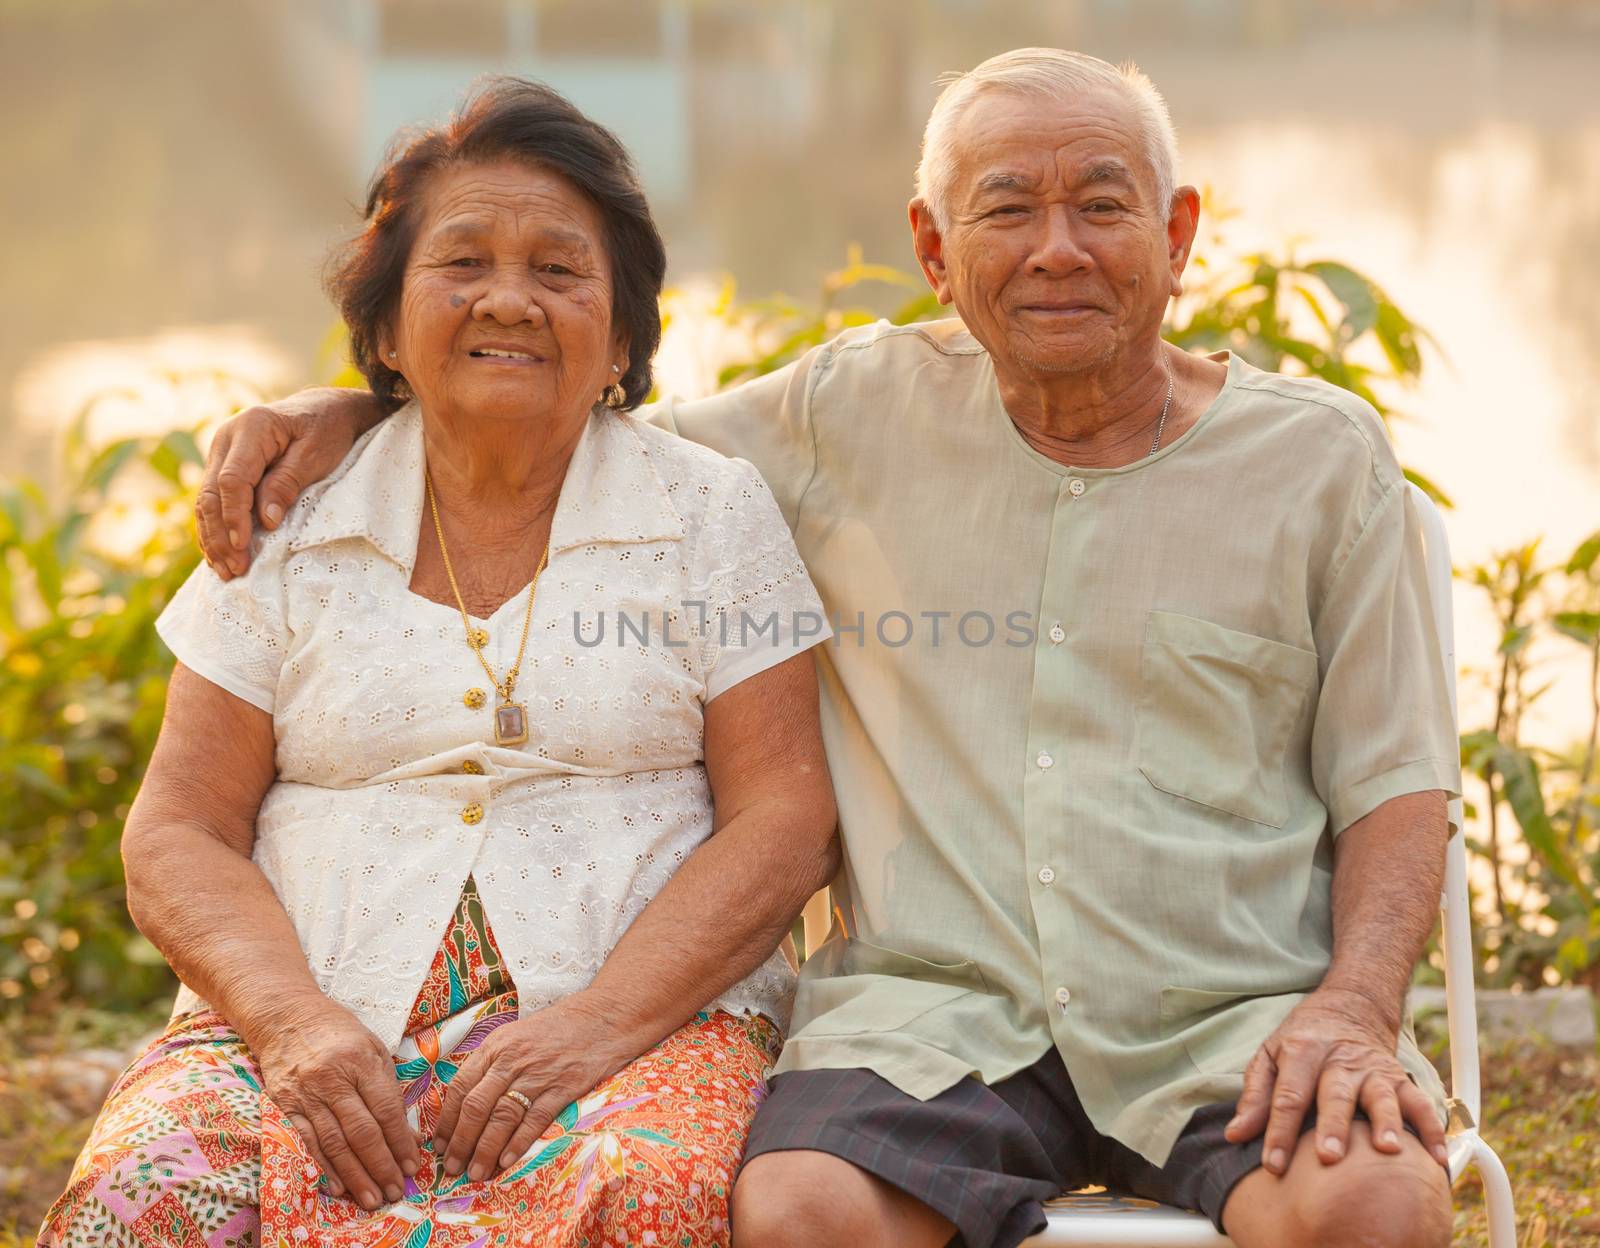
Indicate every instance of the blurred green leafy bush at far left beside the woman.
{"type": "Point", "coordinates": [86, 678]}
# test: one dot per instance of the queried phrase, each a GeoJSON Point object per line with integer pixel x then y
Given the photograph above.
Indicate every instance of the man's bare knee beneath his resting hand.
{"type": "Point", "coordinates": [1378, 1202]}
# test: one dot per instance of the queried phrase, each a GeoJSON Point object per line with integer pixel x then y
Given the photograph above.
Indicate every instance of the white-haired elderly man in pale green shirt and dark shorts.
{"type": "Point", "coordinates": [1138, 729]}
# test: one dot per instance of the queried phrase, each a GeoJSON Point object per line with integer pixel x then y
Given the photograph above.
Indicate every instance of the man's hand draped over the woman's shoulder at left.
{"type": "Point", "coordinates": [262, 462]}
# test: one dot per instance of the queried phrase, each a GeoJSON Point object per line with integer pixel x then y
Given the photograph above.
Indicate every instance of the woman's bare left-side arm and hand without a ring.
{"type": "Point", "coordinates": [196, 894]}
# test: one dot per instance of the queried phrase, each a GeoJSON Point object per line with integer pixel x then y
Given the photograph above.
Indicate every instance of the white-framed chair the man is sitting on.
{"type": "Point", "coordinates": [1108, 1222]}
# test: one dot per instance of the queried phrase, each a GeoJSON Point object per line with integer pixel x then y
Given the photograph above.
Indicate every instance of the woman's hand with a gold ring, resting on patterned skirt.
{"type": "Point", "coordinates": [551, 1058]}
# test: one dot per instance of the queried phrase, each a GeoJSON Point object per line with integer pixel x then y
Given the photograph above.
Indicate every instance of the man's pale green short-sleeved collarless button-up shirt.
{"type": "Point", "coordinates": [1094, 732]}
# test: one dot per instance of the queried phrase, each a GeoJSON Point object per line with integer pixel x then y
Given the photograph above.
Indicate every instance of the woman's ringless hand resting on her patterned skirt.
{"type": "Point", "coordinates": [337, 1086]}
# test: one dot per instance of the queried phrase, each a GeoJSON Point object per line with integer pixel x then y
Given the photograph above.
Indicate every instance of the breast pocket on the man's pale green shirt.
{"type": "Point", "coordinates": [1217, 714]}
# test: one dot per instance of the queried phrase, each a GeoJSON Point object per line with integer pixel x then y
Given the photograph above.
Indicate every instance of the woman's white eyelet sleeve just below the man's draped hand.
{"type": "Point", "coordinates": [234, 633]}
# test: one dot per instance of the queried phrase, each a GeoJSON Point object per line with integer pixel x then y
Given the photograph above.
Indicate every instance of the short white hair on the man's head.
{"type": "Point", "coordinates": [1049, 73]}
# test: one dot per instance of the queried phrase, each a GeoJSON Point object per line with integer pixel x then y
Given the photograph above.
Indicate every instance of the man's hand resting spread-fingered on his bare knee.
{"type": "Point", "coordinates": [1335, 1052]}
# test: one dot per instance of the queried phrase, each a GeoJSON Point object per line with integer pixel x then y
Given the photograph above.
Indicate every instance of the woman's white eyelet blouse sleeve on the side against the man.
{"type": "Point", "coordinates": [754, 596]}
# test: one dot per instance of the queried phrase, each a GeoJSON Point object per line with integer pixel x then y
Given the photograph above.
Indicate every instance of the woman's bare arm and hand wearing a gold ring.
{"type": "Point", "coordinates": [716, 921]}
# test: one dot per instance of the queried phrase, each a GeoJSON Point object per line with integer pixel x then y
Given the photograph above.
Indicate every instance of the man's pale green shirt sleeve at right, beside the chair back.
{"type": "Point", "coordinates": [1383, 726]}
